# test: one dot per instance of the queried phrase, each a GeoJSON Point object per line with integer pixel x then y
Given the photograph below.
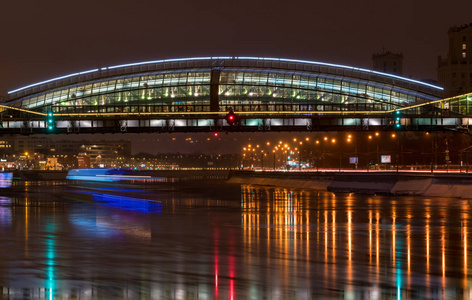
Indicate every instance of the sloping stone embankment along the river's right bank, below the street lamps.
{"type": "Point", "coordinates": [388, 183]}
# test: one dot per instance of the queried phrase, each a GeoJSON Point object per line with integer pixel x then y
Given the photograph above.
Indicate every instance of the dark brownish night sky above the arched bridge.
{"type": "Point", "coordinates": [45, 39]}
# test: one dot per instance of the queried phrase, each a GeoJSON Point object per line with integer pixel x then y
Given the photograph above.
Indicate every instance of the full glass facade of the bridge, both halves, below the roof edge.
{"type": "Point", "coordinates": [243, 89]}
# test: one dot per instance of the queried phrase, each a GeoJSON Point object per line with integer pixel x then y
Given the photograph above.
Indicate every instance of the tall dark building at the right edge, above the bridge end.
{"type": "Point", "coordinates": [455, 71]}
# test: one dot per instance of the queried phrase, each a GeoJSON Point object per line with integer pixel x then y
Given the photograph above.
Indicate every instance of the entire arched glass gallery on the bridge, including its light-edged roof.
{"type": "Point", "coordinates": [222, 83]}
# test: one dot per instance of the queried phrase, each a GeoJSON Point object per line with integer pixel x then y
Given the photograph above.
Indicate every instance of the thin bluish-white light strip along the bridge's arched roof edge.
{"type": "Point", "coordinates": [229, 57]}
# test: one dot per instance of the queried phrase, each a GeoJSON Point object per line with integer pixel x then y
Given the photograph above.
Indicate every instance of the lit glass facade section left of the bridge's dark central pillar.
{"type": "Point", "coordinates": [186, 90]}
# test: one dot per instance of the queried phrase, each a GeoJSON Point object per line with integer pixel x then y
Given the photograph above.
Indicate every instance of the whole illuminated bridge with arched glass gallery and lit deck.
{"type": "Point", "coordinates": [196, 94]}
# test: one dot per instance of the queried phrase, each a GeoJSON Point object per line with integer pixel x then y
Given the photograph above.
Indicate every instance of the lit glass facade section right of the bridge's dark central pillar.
{"type": "Point", "coordinates": [271, 90]}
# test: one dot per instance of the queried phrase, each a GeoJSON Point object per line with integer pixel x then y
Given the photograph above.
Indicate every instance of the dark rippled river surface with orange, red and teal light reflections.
{"type": "Point", "coordinates": [213, 240]}
